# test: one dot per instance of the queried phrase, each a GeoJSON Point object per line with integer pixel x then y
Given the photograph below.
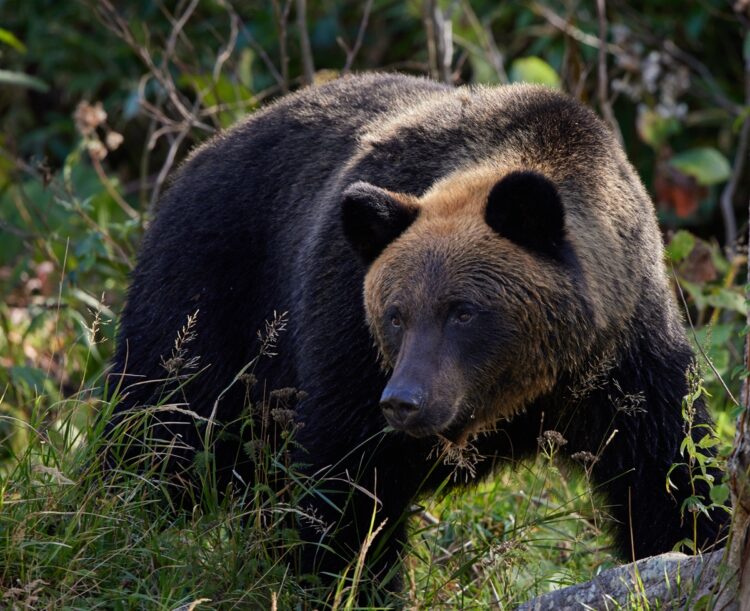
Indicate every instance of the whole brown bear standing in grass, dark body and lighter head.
{"type": "Point", "coordinates": [459, 268]}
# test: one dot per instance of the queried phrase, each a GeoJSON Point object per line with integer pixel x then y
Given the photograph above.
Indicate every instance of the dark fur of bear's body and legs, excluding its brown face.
{"type": "Point", "coordinates": [253, 224]}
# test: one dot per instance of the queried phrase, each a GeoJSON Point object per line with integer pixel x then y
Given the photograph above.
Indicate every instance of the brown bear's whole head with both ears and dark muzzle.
{"type": "Point", "coordinates": [470, 296]}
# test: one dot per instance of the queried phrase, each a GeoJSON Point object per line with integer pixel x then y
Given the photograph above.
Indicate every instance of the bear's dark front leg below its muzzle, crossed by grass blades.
{"type": "Point", "coordinates": [354, 515]}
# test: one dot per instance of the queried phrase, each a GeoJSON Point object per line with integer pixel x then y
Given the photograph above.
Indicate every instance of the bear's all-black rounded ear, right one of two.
{"type": "Point", "coordinates": [526, 208]}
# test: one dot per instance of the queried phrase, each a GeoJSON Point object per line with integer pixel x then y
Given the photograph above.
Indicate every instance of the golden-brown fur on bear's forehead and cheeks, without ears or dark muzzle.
{"type": "Point", "coordinates": [450, 253]}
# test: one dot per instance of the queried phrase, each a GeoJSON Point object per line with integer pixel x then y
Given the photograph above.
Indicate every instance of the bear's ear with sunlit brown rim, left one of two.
{"type": "Point", "coordinates": [373, 217]}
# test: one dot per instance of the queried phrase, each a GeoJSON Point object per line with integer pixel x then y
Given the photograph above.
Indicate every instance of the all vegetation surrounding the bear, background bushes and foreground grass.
{"type": "Point", "coordinates": [100, 103]}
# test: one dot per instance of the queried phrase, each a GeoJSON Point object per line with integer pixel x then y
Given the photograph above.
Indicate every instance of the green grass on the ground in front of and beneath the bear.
{"type": "Point", "coordinates": [71, 538]}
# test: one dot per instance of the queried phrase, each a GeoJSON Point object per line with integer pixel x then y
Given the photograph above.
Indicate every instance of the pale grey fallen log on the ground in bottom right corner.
{"type": "Point", "coordinates": [673, 578]}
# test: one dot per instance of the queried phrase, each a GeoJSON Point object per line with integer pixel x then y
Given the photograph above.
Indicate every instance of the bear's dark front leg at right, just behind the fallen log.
{"type": "Point", "coordinates": [634, 429]}
